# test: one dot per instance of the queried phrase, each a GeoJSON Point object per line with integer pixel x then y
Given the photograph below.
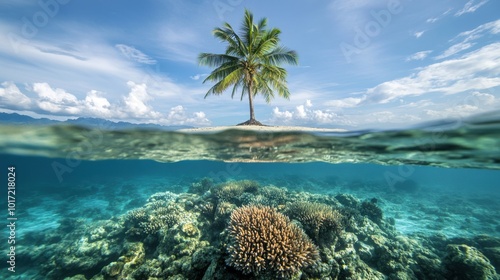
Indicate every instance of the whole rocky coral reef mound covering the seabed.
{"type": "Point", "coordinates": [250, 230]}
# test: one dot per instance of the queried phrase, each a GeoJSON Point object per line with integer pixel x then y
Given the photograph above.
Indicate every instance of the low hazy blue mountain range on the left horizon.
{"type": "Point", "coordinates": [17, 119]}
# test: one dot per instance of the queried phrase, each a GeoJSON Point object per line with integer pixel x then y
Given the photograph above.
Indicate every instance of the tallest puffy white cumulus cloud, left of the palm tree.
{"type": "Point", "coordinates": [136, 102]}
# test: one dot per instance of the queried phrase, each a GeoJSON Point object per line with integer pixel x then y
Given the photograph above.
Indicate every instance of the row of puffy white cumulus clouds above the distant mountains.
{"type": "Point", "coordinates": [134, 106]}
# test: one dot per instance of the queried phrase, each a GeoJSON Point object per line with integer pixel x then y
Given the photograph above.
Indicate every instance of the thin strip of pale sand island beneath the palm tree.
{"type": "Point", "coordinates": [260, 128]}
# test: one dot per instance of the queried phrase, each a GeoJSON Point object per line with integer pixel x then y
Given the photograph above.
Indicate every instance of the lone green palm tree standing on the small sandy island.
{"type": "Point", "coordinates": [251, 62]}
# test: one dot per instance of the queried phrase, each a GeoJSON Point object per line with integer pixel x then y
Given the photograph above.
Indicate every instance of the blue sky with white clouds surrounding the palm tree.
{"type": "Point", "coordinates": [363, 63]}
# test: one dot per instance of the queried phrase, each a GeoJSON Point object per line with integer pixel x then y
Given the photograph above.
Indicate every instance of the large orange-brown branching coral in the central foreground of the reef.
{"type": "Point", "coordinates": [264, 241]}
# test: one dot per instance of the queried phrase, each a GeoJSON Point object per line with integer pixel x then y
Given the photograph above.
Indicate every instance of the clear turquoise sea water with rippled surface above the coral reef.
{"type": "Point", "coordinates": [425, 190]}
